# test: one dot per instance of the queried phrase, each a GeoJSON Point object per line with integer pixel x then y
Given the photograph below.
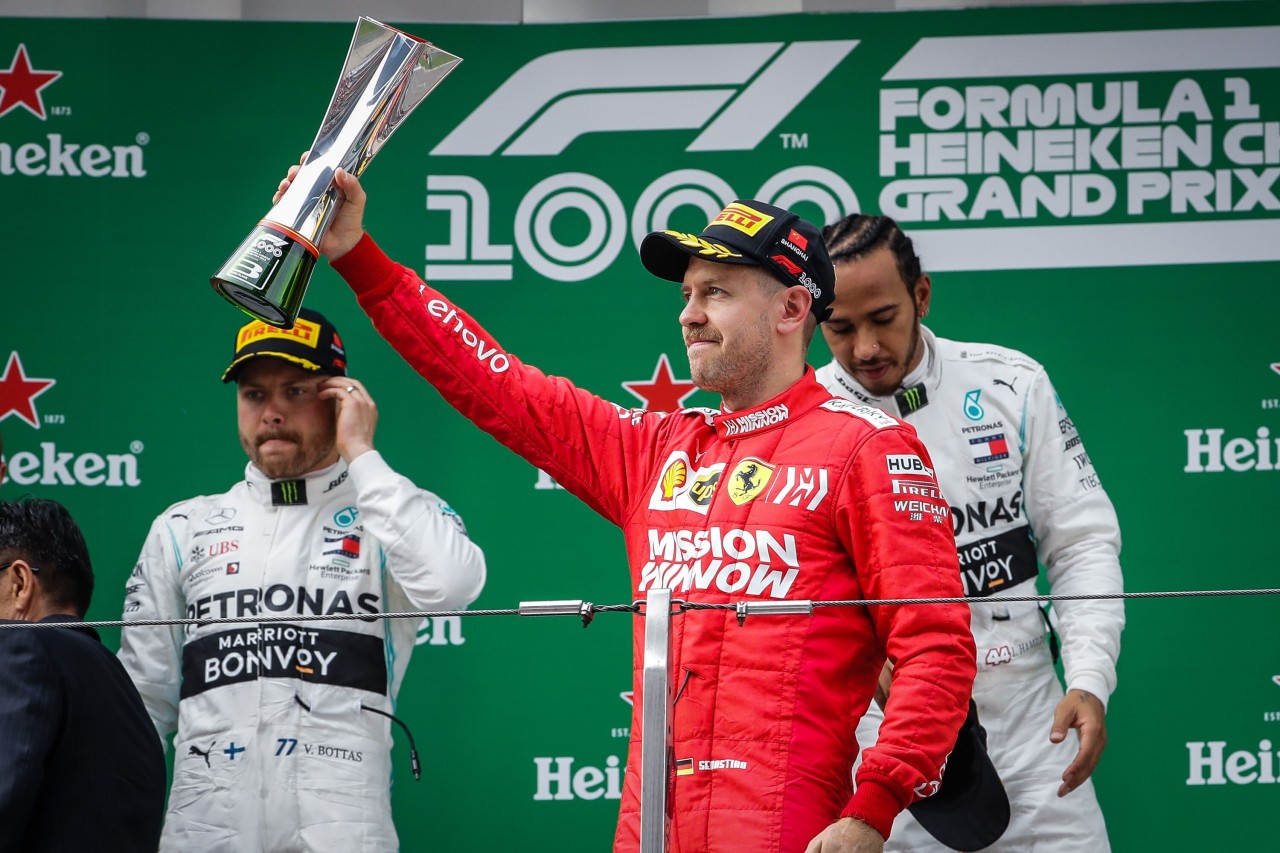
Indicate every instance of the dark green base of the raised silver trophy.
{"type": "Point", "coordinates": [268, 276]}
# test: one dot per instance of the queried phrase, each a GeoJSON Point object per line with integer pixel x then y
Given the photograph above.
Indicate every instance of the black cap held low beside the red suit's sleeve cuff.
{"type": "Point", "coordinates": [971, 810]}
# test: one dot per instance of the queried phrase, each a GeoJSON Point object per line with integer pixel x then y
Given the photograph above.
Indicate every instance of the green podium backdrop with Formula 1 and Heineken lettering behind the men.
{"type": "Point", "coordinates": [1086, 184]}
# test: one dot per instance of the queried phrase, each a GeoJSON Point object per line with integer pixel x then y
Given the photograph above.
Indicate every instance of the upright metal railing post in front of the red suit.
{"type": "Point", "coordinates": [656, 710]}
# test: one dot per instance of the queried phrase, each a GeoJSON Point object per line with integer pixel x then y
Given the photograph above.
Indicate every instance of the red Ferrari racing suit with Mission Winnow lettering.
{"type": "Point", "coordinates": [803, 498]}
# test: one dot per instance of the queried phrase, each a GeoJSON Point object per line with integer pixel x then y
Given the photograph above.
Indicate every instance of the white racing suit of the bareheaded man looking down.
{"type": "Point", "coordinates": [1023, 492]}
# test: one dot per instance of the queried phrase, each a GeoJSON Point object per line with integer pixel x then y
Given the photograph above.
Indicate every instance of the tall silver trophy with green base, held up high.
{"type": "Point", "coordinates": [387, 75]}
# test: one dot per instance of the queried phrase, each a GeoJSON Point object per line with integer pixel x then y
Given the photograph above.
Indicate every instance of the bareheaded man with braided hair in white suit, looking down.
{"type": "Point", "coordinates": [1023, 492]}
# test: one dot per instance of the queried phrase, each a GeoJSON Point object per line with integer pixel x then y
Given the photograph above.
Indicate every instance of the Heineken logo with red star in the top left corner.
{"type": "Point", "coordinates": [25, 85]}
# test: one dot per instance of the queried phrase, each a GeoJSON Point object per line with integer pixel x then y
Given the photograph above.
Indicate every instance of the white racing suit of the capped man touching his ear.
{"type": "Point", "coordinates": [281, 745]}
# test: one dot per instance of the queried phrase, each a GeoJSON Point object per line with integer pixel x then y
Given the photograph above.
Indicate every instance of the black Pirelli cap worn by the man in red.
{"type": "Point", "coordinates": [753, 234]}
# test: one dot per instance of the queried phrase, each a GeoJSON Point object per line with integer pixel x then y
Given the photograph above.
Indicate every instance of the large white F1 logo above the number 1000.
{"type": "Point", "coordinates": [557, 98]}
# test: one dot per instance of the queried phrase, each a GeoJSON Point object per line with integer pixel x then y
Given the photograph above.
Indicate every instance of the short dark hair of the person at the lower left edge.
{"type": "Point", "coordinates": [44, 535]}
